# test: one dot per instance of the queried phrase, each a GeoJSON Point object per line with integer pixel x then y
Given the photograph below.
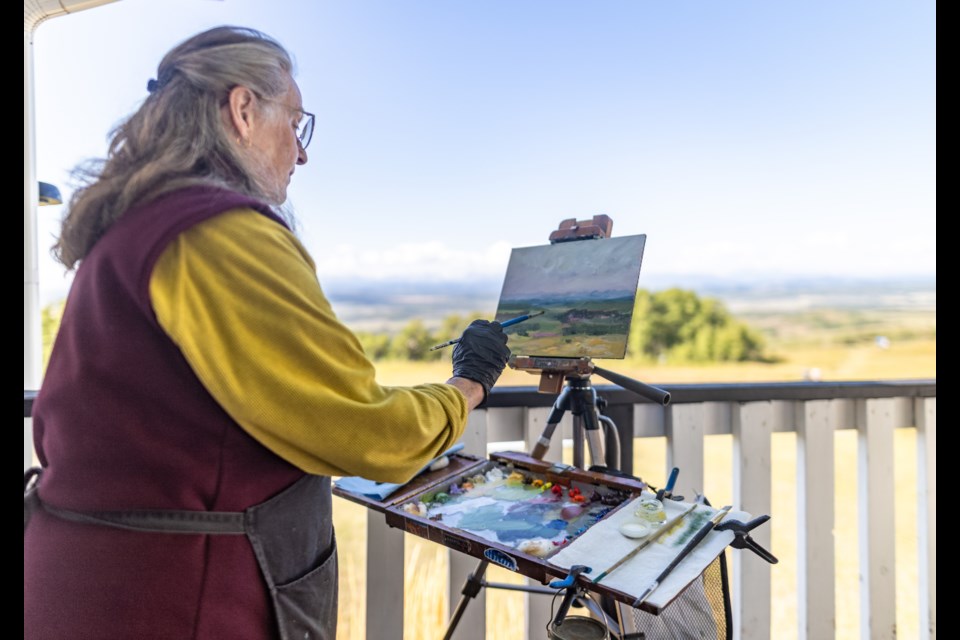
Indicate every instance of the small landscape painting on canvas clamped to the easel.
{"type": "Point", "coordinates": [586, 290]}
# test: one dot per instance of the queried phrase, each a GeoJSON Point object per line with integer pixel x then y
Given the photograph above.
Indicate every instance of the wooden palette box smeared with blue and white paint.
{"type": "Point", "coordinates": [513, 510]}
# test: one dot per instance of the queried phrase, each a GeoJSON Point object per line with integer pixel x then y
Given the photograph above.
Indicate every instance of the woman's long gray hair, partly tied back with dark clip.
{"type": "Point", "coordinates": [177, 137]}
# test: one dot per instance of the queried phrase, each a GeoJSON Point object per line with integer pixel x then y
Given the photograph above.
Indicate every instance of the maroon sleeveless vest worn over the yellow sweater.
{"type": "Point", "coordinates": [122, 422]}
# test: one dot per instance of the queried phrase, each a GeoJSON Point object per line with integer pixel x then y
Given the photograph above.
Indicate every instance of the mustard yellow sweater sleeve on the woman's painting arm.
{"type": "Point", "coordinates": [239, 295]}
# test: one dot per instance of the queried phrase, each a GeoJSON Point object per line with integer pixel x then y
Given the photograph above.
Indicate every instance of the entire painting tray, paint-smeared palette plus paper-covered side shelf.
{"type": "Point", "coordinates": [530, 540]}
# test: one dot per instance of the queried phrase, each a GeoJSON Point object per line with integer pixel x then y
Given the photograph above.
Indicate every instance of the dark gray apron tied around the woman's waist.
{"type": "Point", "coordinates": [292, 538]}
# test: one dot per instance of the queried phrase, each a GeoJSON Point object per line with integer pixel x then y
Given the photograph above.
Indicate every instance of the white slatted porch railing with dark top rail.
{"type": "Point", "coordinates": [874, 411]}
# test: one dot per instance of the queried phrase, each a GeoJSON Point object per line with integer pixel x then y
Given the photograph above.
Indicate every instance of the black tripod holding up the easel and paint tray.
{"type": "Point", "coordinates": [579, 398]}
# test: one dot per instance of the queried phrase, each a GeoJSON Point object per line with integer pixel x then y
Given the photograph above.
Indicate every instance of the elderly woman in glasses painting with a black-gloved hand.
{"type": "Point", "coordinates": [201, 391]}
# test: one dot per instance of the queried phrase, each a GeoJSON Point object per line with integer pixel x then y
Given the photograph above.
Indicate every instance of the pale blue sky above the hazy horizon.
{"type": "Point", "coordinates": [746, 139]}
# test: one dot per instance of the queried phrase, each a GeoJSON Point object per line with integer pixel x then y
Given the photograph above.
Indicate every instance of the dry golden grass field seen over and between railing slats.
{"type": "Point", "coordinates": [425, 594]}
